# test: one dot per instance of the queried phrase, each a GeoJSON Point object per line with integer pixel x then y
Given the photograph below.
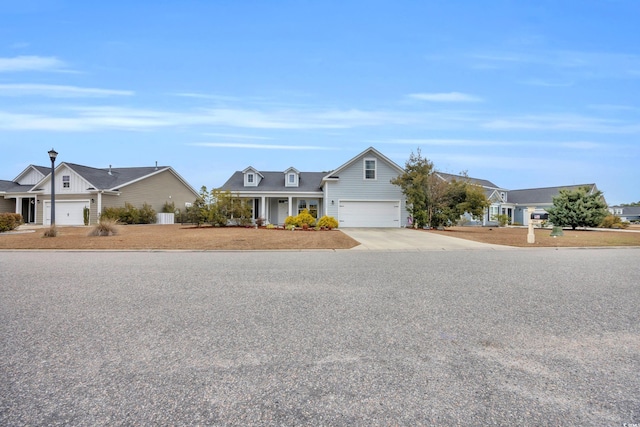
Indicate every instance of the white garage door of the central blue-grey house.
{"type": "Point", "coordinates": [369, 214]}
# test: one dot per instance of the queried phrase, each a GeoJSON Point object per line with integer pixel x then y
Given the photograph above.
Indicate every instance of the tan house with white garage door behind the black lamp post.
{"type": "Point", "coordinates": [78, 186]}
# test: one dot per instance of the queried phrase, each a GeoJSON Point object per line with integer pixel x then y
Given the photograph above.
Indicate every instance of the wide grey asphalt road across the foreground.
{"type": "Point", "coordinates": [522, 337]}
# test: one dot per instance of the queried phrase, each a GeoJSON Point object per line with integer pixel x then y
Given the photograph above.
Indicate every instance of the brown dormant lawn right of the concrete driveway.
{"type": "Point", "coordinates": [518, 237]}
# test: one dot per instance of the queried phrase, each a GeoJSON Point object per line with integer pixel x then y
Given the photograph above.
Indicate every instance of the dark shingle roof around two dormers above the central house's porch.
{"type": "Point", "coordinates": [274, 181]}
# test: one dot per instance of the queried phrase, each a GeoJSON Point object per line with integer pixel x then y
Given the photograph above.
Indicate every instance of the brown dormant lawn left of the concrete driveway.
{"type": "Point", "coordinates": [177, 236]}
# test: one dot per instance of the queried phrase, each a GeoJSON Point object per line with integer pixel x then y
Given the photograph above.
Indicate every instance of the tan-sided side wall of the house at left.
{"type": "Point", "coordinates": [156, 190]}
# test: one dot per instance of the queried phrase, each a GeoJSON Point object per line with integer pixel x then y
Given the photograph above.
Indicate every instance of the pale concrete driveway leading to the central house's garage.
{"type": "Point", "coordinates": [403, 239]}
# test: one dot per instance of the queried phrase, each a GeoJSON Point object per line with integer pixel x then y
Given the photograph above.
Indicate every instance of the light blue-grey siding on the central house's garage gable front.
{"type": "Point", "coordinates": [351, 185]}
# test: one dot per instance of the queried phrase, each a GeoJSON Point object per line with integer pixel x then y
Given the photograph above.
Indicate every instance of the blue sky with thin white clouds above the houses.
{"type": "Point", "coordinates": [522, 93]}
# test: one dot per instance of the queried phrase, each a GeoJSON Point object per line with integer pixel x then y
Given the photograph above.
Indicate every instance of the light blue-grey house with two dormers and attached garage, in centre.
{"type": "Point", "coordinates": [358, 193]}
